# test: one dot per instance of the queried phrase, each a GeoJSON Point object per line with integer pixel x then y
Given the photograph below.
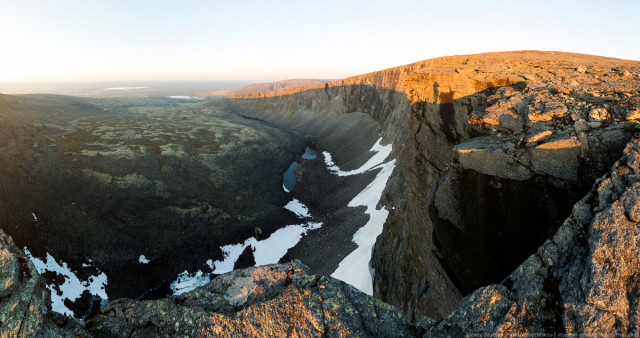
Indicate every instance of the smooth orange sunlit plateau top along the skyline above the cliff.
{"type": "Point", "coordinates": [462, 75]}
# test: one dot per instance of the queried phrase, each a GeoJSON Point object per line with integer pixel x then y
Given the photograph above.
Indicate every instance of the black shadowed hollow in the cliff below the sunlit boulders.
{"type": "Point", "coordinates": [486, 226]}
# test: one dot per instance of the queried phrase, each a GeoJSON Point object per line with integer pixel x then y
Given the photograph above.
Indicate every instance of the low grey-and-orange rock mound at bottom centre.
{"type": "Point", "coordinates": [272, 300]}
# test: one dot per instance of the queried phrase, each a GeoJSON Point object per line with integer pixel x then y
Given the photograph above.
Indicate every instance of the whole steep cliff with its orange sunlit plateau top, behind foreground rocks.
{"type": "Point", "coordinates": [493, 150]}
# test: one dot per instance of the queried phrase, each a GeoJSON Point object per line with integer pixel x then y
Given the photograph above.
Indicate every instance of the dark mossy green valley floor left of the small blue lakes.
{"type": "Point", "coordinates": [112, 179]}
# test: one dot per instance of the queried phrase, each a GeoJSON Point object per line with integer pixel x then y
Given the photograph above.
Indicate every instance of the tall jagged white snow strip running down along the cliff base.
{"type": "Point", "coordinates": [355, 268]}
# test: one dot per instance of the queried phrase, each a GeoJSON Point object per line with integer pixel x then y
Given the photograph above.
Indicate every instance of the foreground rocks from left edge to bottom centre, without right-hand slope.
{"type": "Point", "coordinates": [266, 301]}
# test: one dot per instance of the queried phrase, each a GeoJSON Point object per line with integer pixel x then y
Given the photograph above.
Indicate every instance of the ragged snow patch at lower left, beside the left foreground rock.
{"type": "Point", "coordinates": [73, 287]}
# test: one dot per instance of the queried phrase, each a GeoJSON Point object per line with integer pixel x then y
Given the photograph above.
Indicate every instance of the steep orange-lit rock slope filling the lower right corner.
{"type": "Point", "coordinates": [584, 280]}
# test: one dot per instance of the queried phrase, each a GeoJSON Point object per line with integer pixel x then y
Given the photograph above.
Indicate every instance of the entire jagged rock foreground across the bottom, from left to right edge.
{"type": "Point", "coordinates": [583, 280]}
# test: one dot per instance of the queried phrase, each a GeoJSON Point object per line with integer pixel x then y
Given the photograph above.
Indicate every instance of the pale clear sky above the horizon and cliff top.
{"type": "Point", "coordinates": [123, 40]}
